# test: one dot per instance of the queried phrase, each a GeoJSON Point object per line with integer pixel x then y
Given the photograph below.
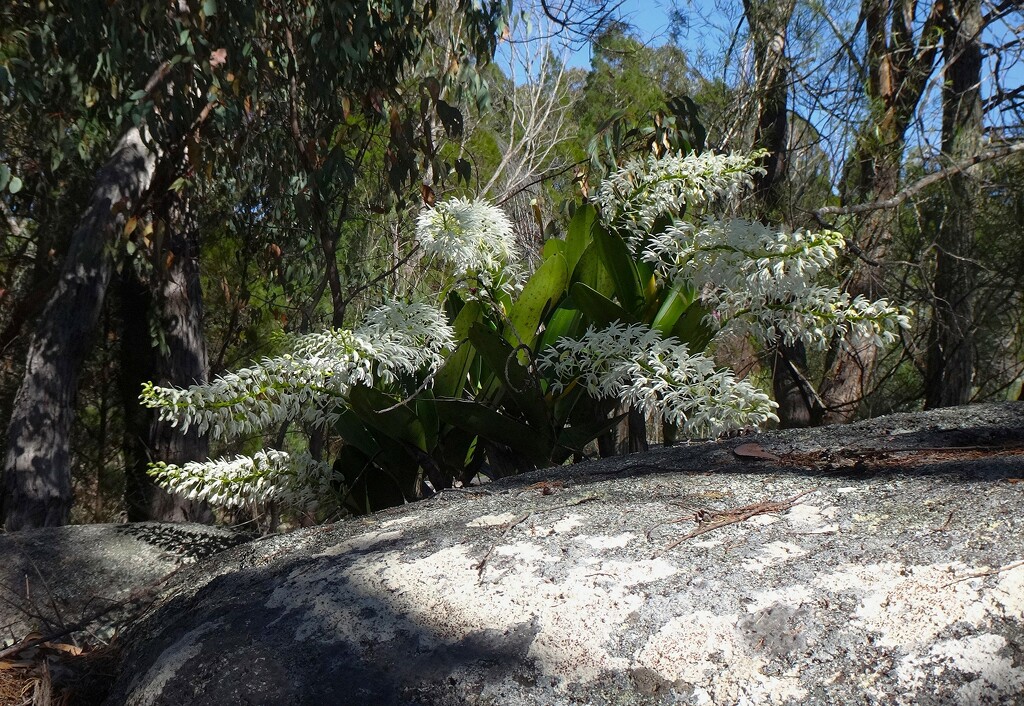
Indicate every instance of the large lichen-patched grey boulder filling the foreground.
{"type": "Point", "coordinates": [888, 568]}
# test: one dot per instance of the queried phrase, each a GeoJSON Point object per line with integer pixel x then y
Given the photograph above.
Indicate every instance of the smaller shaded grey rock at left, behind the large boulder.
{"type": "Point", "coordinates": [56, 577]}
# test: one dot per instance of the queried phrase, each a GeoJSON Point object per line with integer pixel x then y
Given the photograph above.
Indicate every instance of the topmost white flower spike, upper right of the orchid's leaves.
{"type": "Point", "coordinates": [634, 197]}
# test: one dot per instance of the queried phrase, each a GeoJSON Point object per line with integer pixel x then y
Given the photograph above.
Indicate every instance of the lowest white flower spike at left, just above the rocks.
{"type": "Point", "coordinates": [269, 476]}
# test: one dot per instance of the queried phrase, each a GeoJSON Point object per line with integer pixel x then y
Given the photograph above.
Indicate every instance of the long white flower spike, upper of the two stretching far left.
{"type": "Point", "coordinates": [310, 384]}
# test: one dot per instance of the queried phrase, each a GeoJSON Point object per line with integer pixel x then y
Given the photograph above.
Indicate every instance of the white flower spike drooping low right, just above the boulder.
{"type": "Point", "coordinates": [660, 377]}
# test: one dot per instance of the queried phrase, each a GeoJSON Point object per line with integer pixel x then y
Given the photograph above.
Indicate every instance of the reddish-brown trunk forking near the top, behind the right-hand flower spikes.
{"type": "Point", "coordinates": [899, 65]}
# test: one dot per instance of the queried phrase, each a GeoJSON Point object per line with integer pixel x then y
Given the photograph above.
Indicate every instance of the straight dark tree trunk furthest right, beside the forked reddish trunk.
{"type": "Point", "coordinates": [950, 367]}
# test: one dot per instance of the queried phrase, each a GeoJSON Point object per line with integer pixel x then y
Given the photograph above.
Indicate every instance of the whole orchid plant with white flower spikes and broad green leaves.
{"type": "Point", "coordinates": [620, 314]}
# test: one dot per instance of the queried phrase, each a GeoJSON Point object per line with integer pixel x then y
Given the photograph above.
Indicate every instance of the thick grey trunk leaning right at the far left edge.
{"type": "Point", "coordinates": [37, 466]}
